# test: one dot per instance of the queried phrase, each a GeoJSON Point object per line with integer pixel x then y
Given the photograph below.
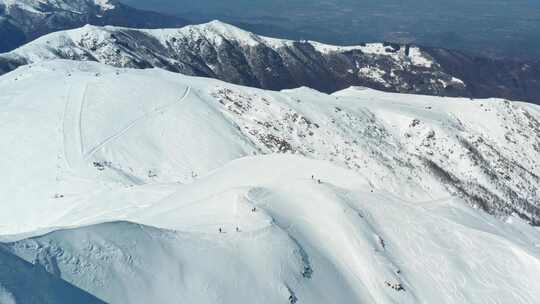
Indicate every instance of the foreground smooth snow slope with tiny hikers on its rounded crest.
{"type": "Point", "coordinates": [334, 242]}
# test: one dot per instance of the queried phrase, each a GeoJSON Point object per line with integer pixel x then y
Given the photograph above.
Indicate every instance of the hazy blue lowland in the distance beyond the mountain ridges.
{"type": "Point", "coordinates": [501, 28]}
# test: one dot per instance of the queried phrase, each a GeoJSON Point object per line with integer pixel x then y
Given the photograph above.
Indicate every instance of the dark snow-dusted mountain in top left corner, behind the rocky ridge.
{"type": "Point", "coordinates": [21, 24]}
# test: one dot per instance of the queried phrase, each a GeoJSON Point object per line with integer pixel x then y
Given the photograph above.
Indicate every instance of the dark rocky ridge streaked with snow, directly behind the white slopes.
{"type": "Point", "coordinates": [225, 52]}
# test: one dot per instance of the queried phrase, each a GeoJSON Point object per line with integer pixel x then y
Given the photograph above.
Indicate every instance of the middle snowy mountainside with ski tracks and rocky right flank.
{"type": "Point", "coordinates": [421, 147]}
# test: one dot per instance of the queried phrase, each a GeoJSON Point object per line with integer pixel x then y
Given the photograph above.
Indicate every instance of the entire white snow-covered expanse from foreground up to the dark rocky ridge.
{"type": "Point", "coordinates": [344, 198]}
